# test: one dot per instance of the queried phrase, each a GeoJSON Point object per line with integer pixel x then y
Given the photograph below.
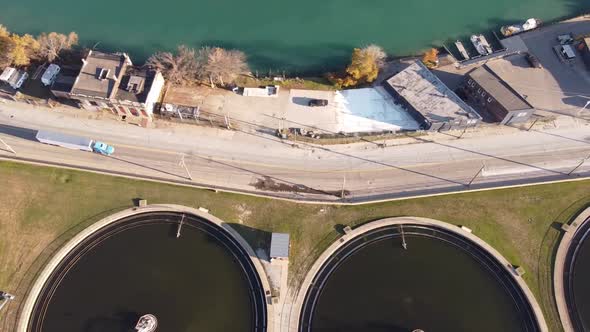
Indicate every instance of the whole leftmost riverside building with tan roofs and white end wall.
{"type": "Point", "coordinates": [110, 81]}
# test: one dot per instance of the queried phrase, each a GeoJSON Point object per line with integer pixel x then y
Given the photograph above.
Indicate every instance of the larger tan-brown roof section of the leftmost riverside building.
{"type": "Point", "coordinates": [101, 74]}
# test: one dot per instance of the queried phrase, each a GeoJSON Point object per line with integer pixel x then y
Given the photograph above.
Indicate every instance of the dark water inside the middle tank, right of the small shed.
{"type": "Point", "coordinates": [433, 286]}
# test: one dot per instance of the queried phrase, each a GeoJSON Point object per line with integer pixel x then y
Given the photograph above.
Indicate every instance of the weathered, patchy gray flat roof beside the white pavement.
{"type": "Point", "coordinates": [429, 95]}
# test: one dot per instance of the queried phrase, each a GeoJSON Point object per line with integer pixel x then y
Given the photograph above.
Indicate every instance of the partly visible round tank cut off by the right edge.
{"type": "Point", "coordinates": [572, 275]}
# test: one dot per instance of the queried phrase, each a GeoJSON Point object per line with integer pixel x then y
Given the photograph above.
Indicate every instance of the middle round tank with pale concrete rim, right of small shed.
{"type": "Point", "coordinates": [443, 280]}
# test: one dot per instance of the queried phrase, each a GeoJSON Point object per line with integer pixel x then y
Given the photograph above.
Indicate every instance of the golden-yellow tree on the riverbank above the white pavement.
{"type": "Point", "coordinates": [363, 68]}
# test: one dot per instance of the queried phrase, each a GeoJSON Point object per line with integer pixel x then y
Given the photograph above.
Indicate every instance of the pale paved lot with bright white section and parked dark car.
{"type": "Point", "coordinates": [358, 110]}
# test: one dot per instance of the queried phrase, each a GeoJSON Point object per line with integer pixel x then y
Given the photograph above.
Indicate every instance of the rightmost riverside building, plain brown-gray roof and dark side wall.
{"type": "Point", "coordinates": [495, 100]}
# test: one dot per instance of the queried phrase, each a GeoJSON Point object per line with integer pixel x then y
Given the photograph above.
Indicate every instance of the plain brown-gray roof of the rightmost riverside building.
{"type": "Point", "coordinates": [498, 89]}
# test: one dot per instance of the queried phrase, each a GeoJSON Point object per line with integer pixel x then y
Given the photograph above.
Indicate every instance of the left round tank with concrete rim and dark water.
{"type": "Point", "coordinates": [202, 280]}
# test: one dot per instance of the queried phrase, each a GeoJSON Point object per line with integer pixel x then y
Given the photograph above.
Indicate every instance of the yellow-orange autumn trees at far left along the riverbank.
{"type": "Point", "coordinates": [20, 50]}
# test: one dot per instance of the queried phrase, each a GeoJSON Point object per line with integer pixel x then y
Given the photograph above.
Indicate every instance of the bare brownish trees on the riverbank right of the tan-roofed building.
{"type": "Point", "coordinates": [215, 65]}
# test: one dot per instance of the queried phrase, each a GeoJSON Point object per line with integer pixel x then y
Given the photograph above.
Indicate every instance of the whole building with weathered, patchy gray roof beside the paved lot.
{"type": "Point", "coordinates": [429, 101]}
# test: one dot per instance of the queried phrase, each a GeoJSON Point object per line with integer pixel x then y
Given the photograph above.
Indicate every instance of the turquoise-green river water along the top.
{"type": "Point", "coordinates": [279, 35]}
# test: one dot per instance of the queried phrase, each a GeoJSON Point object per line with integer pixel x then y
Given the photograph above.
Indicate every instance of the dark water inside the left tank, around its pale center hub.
{"type": "Point", "coordinates": [190, 284]}
